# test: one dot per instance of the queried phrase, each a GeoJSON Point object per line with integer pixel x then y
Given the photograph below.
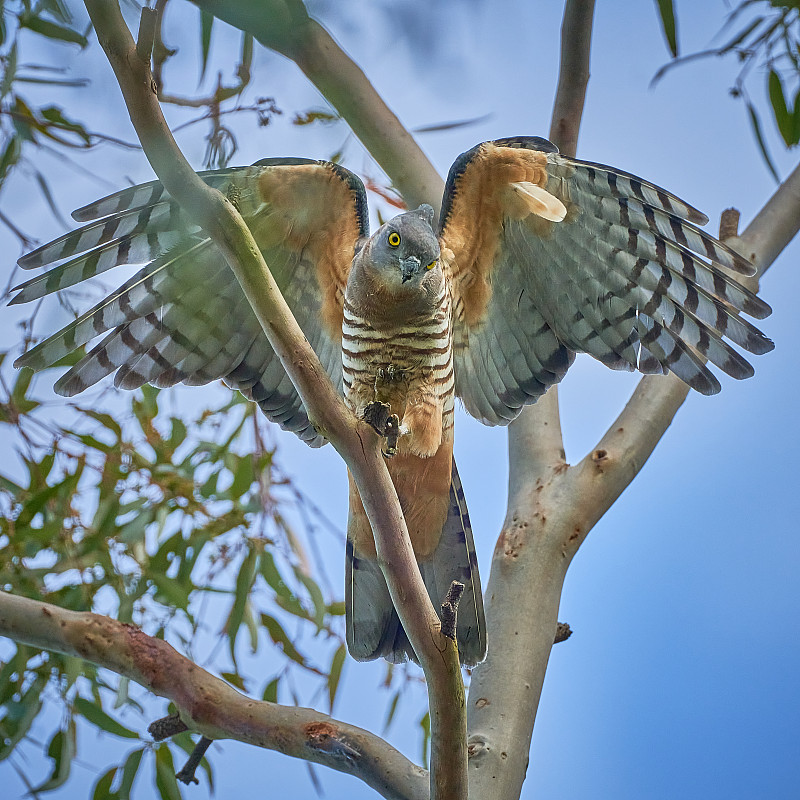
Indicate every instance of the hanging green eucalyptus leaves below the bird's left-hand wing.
{"type": "Point", "coordinates": [146, 516]}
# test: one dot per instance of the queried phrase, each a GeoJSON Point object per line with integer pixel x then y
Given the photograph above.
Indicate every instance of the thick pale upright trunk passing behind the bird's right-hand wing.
{"type": "Point", "coordinates": [529, 563]}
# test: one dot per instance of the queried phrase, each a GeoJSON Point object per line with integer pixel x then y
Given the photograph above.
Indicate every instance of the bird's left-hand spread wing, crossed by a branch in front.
{"type": "Point", "coordinates": [183, 317]}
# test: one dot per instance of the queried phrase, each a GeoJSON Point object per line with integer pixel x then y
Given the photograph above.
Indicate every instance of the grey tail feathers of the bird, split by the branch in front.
{"type": "Point", "coordinates": [373, 627]}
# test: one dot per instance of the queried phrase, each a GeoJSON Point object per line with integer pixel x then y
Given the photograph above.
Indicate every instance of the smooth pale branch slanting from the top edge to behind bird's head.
{"type": "Point", "coordinates": [284, 26]}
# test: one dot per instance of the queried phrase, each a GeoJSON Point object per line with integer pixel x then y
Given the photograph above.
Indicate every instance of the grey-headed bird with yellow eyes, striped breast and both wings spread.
{"type": "Point", "coordinates": [536, 256]}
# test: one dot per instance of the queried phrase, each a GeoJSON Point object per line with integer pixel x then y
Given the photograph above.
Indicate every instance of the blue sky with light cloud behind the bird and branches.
{"type": "Point", "coordinates": [681, 677]}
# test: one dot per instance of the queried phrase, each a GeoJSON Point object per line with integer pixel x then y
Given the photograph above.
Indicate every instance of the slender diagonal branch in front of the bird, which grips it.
{"type": "Point", "coordinates": [355, 441]}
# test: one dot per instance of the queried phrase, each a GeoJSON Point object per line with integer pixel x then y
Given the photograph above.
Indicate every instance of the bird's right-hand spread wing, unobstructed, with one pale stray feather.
{"type": "Point", "coordinates": [549, 255]}
